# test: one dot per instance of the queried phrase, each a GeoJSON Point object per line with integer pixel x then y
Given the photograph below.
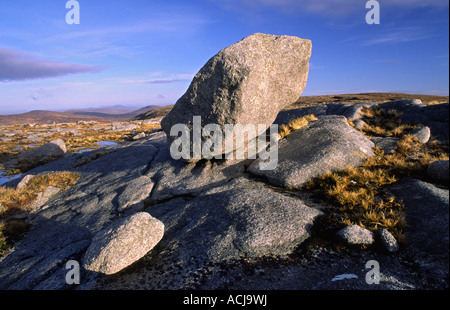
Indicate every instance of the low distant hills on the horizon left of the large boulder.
{"type": "Point", "coordinates": [107, 114]}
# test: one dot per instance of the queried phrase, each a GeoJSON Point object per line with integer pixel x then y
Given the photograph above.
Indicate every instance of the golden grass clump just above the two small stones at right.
{"type": "Point", "coordinates": [358, 197]}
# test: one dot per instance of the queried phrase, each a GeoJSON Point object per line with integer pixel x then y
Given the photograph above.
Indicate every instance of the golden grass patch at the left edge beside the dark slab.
{"type": "Point", "coordinates": [14, 202]}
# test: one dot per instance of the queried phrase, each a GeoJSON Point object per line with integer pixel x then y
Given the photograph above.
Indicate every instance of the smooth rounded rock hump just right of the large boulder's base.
{"type": "Point", "coordinates": [328, 144]}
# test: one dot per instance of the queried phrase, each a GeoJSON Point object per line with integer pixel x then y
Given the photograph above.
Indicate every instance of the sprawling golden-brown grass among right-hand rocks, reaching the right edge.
{"type": "Point", "coordinates": [359, 196]}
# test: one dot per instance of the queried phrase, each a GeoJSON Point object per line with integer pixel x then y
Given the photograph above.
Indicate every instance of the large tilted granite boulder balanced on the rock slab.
{"type": "Point", "coordinates": [249, 82]}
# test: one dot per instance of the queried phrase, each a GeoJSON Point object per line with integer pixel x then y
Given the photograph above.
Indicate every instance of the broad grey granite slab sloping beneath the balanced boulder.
{"type": "Point", "coordinates": [221, 216]}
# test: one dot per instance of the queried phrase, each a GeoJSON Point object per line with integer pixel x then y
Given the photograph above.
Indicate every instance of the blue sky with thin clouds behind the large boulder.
{"type": "Point", "coordinates": [137, 53]}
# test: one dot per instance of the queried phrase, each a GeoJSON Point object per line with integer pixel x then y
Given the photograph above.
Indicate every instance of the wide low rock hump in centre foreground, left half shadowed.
{"type": "Point", "coordinates": [239, 219]}
